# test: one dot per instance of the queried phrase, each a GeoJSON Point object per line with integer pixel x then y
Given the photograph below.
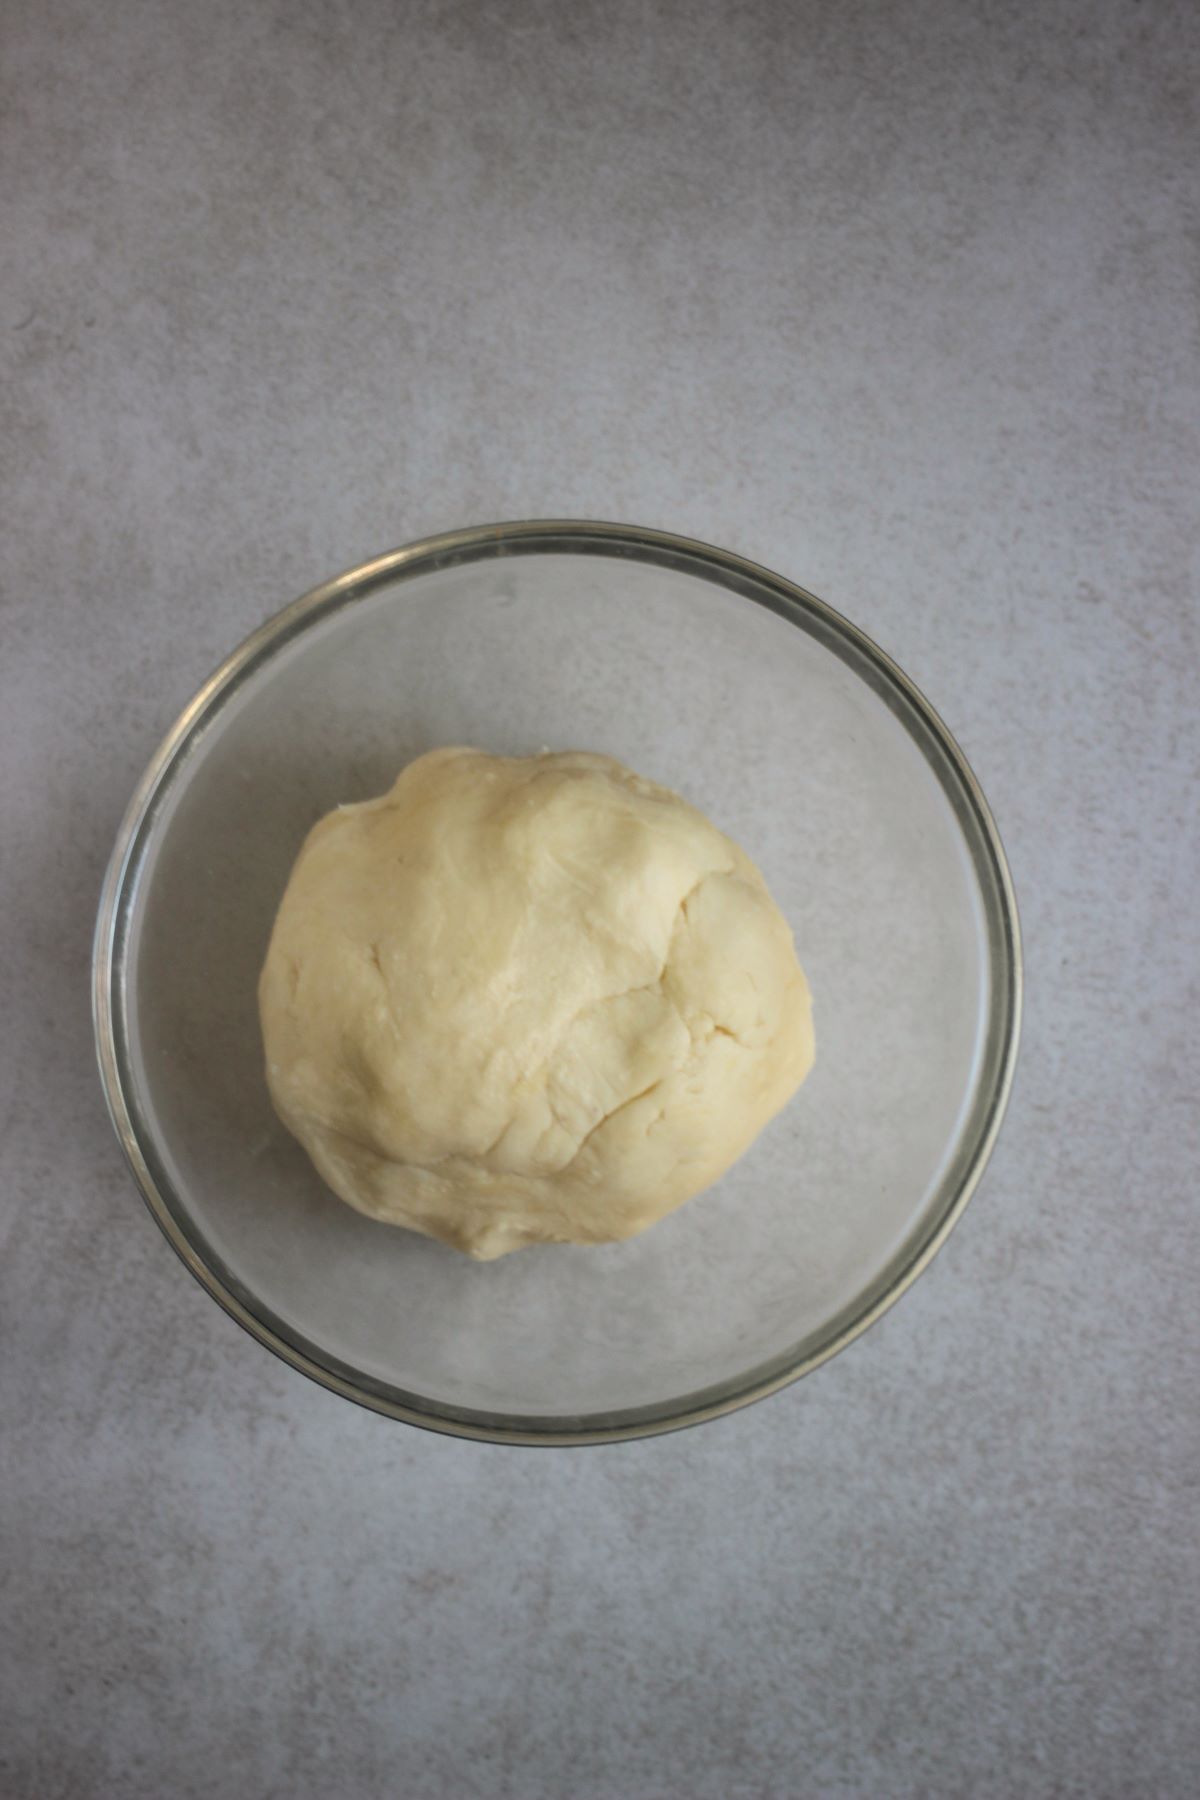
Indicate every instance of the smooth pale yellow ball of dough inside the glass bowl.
{"type": "Point", "coordinates": [528, 1000]}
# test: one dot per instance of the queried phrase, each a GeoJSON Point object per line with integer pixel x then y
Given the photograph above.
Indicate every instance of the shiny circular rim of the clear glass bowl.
{"type": "Point", "coordinates": [742, 577]}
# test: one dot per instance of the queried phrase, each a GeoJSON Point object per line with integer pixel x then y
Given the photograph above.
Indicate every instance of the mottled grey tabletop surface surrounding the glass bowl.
{"type": "Point", "coordinates": [899, 300]}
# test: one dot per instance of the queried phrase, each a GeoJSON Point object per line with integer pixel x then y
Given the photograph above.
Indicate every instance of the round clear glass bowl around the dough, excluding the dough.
{"type": "Point", "coordinates": [798, 737]}
